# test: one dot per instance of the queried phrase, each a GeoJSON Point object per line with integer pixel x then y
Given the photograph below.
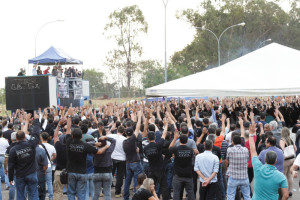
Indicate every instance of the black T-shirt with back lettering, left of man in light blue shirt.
{"type": "Point", "coordinates": [183, 166]}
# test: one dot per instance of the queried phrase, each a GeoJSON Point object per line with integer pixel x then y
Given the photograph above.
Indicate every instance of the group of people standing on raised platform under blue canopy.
{"type": "Point", "coordinates": [57, 70]}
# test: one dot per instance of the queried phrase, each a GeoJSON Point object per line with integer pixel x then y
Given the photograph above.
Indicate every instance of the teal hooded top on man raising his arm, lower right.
{"type": "Point", "coordinates": [267, 181]}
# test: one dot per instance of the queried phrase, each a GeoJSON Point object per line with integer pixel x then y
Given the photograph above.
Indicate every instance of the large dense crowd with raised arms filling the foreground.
{"type": "Point", "coordinates": [167, 149]}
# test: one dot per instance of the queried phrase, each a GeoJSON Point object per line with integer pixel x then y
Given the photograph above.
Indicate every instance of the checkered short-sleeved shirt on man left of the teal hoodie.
{"type": "Point", "coordinates": [238, 161]}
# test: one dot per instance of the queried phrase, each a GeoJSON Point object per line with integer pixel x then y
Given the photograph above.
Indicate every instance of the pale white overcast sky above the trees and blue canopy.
{"type": "Point", "coordinates": [81, 33]}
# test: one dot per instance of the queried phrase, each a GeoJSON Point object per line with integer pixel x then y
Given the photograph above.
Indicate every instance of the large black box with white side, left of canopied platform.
{"type": "Point", "coordinates": [30, 92]}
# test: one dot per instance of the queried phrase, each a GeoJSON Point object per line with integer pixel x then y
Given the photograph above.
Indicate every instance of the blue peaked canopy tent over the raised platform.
{"type": "Point", "coordinates": [53, 55]}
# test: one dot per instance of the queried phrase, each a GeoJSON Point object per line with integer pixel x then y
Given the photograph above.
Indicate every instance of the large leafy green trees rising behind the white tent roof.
{"type": "Point", "coordinates": [264, 20]}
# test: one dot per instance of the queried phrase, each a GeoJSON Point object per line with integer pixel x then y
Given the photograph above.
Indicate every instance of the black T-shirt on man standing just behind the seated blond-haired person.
{"type": "Point", "coordinates": [153, 152]}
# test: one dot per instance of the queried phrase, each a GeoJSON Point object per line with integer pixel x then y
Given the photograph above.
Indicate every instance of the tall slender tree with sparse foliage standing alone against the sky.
{"type": "Point", "coordinates": [125, 26]}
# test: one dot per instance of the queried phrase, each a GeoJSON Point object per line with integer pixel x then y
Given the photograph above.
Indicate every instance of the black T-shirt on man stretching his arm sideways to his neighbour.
{"type": "Point", "coordinates": [76, 154]}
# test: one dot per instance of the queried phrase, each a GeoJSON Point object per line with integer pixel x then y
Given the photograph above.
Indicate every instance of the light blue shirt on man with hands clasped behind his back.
{"type": "Point", "coordinates": [207, 163]}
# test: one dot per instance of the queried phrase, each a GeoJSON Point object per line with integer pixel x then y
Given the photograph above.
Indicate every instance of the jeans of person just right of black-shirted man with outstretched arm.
{"type": "Point", "coordinates": [102, 180]}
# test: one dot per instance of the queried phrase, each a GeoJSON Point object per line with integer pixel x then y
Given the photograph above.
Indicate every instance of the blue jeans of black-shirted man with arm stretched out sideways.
{"type": "Point", "coordinates": [76, 186]}
